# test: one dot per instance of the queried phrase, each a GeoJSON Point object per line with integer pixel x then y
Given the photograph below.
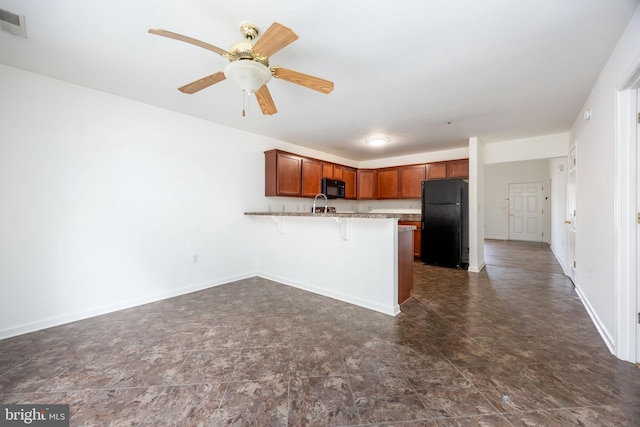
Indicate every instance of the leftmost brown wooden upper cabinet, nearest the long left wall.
{"type": "Point", "coordinates": [283, 174]}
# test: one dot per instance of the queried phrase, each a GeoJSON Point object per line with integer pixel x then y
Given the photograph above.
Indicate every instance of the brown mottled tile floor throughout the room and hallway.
{"type": "Point", "coordinates": [511, 346]}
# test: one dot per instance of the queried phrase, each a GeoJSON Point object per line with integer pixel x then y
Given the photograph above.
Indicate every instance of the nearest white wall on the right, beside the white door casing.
{"type": "Point", "coordinates": [595, 185]}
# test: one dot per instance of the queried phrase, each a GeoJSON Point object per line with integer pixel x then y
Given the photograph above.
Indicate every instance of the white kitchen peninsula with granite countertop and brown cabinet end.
{"type": "Point", "coordinates": [364, 259]}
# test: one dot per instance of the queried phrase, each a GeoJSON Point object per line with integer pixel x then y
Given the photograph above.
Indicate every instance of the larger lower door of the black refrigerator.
{"type": "Point", "coordinates": [442, 235]}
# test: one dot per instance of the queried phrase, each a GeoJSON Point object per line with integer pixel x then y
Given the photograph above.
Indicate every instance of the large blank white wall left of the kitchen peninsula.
{"type": "Point", "coordinates": [105, 201]}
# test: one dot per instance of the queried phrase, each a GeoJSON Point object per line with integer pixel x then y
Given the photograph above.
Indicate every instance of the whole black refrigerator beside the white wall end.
{"type": "Point", "coordinates": [445, 223]}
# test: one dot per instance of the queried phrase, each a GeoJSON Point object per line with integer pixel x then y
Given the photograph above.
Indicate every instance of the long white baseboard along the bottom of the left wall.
{"type": "Point", "coordinates": [110, 308]}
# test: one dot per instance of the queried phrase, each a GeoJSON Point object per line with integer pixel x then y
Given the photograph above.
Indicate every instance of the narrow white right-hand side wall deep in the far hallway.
{"type": "Point", "coordinates": [558, 177]}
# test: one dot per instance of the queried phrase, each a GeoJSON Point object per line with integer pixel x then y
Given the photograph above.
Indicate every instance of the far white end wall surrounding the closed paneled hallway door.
{"type": "Point", "coordinates": [498, 176]}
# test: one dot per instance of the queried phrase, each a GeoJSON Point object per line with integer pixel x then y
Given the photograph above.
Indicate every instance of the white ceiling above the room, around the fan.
{"type": "Point", "coordinates": [496, 69]}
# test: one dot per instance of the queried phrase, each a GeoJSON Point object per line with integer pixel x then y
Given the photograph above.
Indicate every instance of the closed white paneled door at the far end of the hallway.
{"type": "Point", "coordinates": [525, 211]}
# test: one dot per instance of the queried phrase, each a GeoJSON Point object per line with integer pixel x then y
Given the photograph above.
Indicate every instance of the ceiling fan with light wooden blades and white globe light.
{"type": "Point", "coordinates": [249, 63]}
